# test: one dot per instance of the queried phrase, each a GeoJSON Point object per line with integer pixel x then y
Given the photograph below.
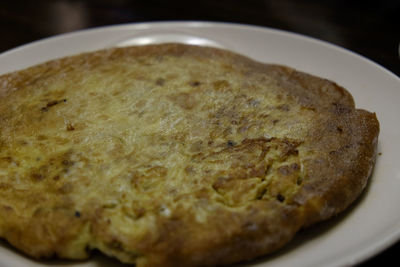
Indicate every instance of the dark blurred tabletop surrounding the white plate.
{"type": "Point", "coordinates": [369, 28]}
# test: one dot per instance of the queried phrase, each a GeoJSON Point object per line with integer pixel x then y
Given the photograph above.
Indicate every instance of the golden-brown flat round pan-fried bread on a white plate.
{"type": "Point", "coordinates": [174, 155]}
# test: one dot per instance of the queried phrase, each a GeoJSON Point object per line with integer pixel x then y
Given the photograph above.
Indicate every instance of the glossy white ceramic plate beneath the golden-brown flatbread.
{"type": "Point", "coordinates": [370, 225]}
